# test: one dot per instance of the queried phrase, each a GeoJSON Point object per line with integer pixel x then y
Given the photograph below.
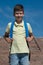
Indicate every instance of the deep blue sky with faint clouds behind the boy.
{"type": "Point", "coordinates": [33, 11]}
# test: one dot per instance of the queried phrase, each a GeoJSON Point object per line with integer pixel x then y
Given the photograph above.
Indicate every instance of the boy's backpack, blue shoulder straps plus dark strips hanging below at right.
{"type": "Point", "coordinates": [26, 30]}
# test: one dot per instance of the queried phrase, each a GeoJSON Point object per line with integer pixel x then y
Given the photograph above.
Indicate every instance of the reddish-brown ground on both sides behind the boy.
{"type": "Point", "coordinates": [36, 54]}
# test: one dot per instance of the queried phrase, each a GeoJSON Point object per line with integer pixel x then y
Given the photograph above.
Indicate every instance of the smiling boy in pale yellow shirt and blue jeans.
{"type": "Point", "coordinates": [19, 54]}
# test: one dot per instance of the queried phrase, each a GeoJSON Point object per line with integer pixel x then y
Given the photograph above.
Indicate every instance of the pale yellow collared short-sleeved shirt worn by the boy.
{"type": "Point", "coordinates": [19, 44]}
